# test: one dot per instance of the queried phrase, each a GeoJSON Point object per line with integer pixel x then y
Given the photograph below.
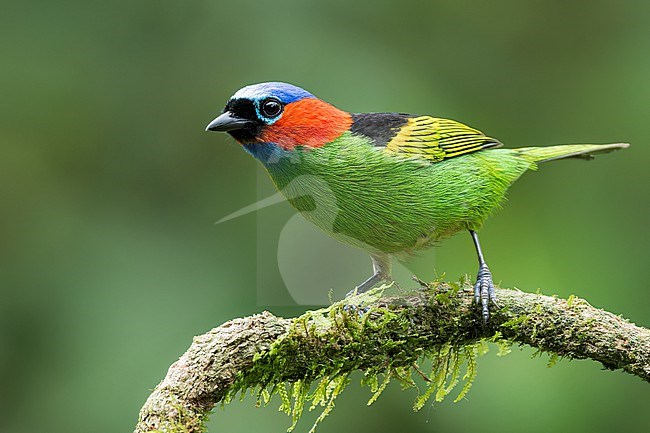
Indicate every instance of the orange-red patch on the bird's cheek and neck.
{"type": "Point", "coordinates": [309, 122]}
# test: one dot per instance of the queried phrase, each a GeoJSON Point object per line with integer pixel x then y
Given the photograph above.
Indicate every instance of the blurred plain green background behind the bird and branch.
{"type": "Point", "coordinates": [109, 190]}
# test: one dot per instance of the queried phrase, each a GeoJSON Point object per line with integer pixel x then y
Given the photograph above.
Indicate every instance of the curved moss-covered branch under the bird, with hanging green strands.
{"type": "Point", "coordinates": [391, 336]}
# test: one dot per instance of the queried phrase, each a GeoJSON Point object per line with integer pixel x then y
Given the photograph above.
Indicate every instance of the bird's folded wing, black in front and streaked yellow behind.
{"type": "Point", "coordinates": [430, 138]}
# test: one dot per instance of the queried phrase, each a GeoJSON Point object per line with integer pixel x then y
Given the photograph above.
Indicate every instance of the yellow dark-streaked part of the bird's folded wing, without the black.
{"type": "Point", "coordinates": [436, 139]}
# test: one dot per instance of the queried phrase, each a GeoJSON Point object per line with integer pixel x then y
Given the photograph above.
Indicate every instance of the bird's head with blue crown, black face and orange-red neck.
{"type": "Point", "coordinates": [280, 115]}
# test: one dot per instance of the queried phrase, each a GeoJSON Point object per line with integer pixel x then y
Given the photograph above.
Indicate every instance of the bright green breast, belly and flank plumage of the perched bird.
{"type": "Point", "coordinates": [385, 203]}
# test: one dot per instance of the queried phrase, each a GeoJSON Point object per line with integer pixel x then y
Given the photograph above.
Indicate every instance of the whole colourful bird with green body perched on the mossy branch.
{"type": "Point", "coordinates": [391, 184]}
